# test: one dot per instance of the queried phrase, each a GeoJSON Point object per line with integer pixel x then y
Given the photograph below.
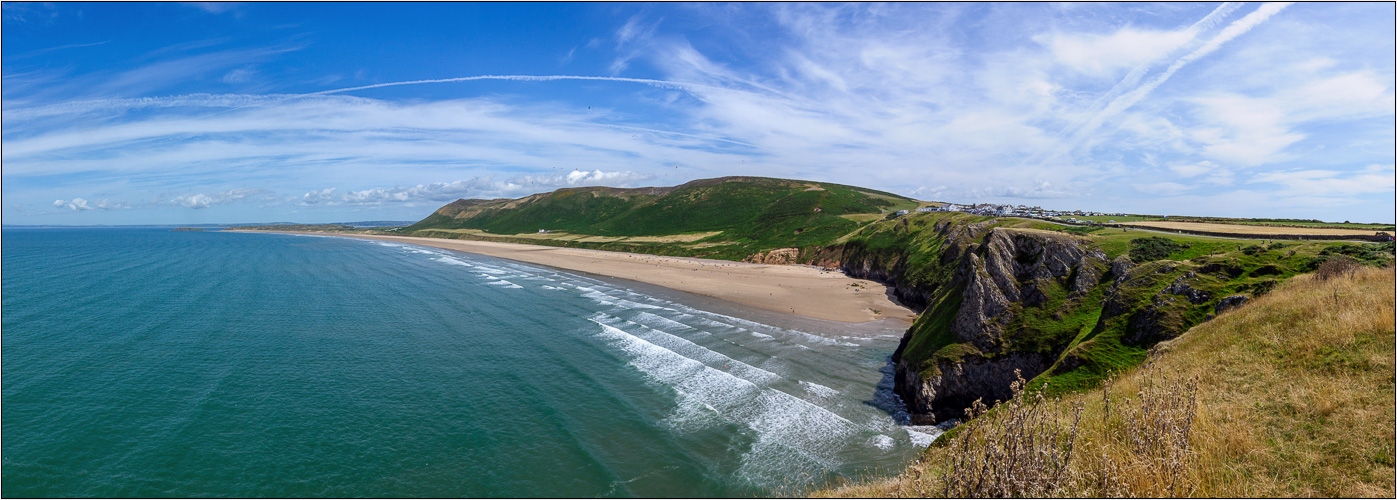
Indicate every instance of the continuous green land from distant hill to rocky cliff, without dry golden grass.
{"type": "Point", "coordinates": [1000, 297]}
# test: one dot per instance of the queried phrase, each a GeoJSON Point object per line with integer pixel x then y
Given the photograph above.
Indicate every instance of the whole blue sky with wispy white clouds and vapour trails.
{"type": "Point", "coordinates": [315, 112]}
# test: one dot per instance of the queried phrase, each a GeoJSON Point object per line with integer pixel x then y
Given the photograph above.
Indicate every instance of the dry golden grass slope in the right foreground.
{"type": "Point", "coordinates": [1290, 396]}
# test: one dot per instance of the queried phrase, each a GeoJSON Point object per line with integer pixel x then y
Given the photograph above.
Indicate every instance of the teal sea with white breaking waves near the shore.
{"type": "Point", "coordinates": [149, 362]}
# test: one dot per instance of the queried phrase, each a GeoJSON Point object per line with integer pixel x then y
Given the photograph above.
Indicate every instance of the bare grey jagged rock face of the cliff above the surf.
{"type": "Point", "coordinates": [1001, 272]}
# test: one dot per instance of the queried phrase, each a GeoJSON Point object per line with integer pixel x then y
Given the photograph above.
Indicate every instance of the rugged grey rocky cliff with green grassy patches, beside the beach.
{"type": "Point", "coordinates": [1047, 304]}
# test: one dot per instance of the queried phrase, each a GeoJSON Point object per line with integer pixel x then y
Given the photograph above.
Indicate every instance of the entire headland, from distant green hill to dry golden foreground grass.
{"type": "Point", "coordinates": [1065, 307]}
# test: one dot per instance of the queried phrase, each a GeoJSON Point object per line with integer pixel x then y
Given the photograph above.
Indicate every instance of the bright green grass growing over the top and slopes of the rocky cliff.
{"type": "Point", "coordinates": [1088, 348]}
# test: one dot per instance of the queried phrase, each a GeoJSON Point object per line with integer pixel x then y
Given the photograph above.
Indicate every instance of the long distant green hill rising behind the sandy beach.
{"type": "Point", "coordinates": [743, 216]}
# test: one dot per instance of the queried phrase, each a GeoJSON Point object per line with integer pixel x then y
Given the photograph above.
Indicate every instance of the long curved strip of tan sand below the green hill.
{"type": "Point", "coordinates": [793, 290]}
